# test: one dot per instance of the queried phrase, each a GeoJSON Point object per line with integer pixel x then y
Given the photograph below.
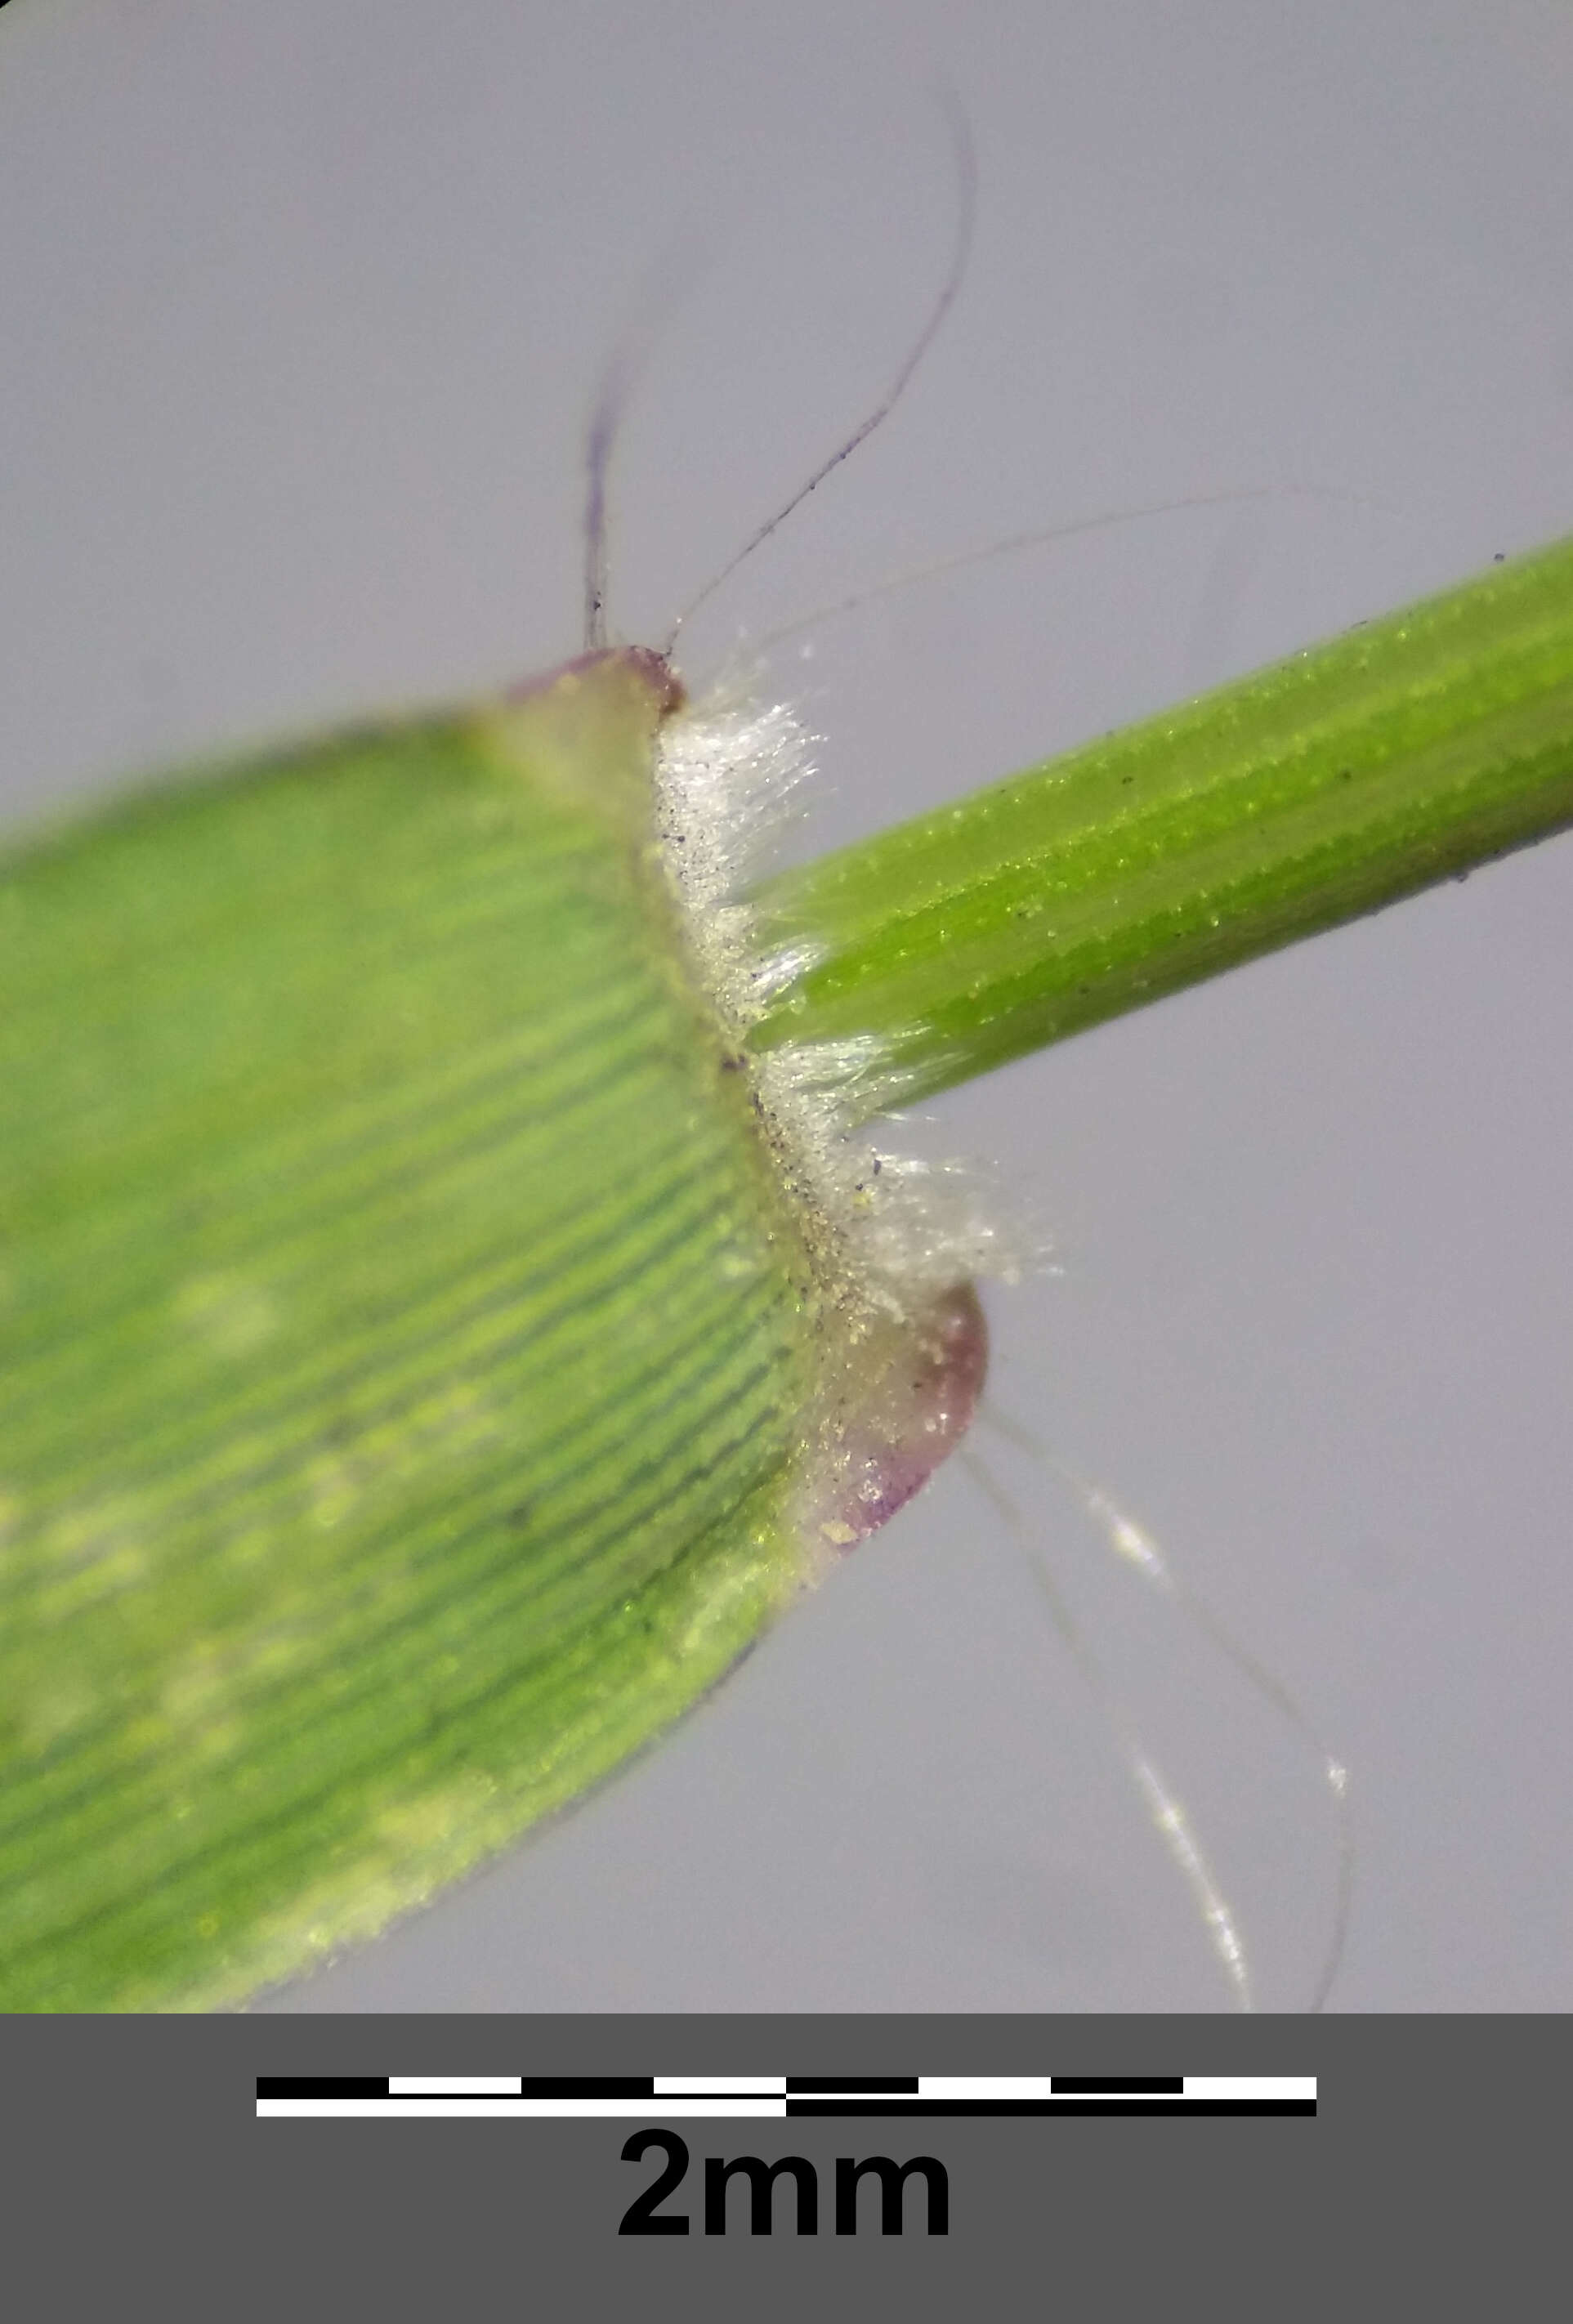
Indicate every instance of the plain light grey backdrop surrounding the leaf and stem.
{"type": "Point", "coordinates": [301, 310]}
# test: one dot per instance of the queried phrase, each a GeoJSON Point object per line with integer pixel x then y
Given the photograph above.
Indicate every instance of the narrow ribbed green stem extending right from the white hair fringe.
{"type": "Point", "coordinates": [1351, 775]}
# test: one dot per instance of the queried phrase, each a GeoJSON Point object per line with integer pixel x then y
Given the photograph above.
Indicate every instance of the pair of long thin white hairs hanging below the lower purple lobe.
{"type": "Point", "coordinates": [1137, 1549]}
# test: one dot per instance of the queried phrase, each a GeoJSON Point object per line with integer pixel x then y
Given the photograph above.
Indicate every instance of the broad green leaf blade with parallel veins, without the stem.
{"type": "Point", "coordinates": [412, 1370]}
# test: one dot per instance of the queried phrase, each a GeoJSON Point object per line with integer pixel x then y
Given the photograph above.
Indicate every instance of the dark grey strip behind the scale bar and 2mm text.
{"type": "Point", "coordinates": [157, 2109]}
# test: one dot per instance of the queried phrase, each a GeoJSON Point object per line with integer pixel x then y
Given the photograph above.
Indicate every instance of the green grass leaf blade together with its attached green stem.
{"type": "Point", "coordinates": [426, 1361]}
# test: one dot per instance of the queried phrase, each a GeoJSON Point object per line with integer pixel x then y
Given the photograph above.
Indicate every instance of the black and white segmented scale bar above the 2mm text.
{"type": "Point", "coordinates": [714, 2097]}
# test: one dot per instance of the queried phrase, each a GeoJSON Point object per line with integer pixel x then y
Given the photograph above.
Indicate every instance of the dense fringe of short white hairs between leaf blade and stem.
{"type": "Point", "coordinates": [728, 777]}
